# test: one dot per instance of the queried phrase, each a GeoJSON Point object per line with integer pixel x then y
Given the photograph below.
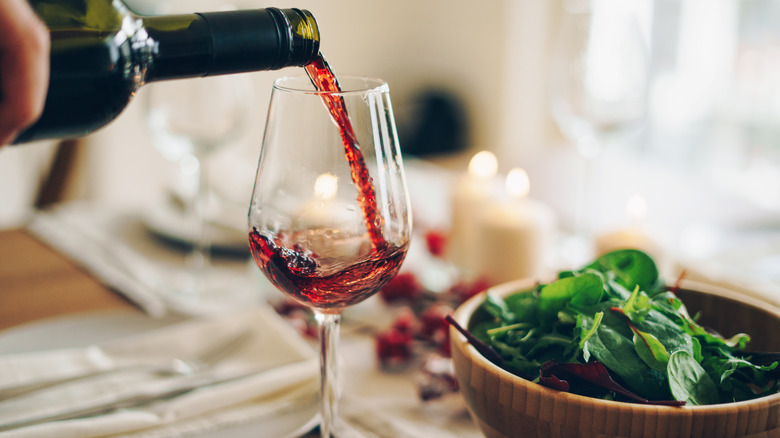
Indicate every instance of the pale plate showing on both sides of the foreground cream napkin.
{"type": "Point", "coordinates": [85, 329]}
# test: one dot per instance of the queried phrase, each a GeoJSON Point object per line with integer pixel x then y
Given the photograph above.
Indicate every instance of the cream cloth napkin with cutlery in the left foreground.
{"type": "Point", "coordinates": [276, 370]}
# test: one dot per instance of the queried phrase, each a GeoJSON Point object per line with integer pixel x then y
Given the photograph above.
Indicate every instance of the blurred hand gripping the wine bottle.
{"type": "Point", "coordinates": [24, 67]}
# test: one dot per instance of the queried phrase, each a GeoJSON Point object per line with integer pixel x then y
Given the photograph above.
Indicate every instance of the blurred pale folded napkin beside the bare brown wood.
{"type": "Point", "coordinates": [116, 248]}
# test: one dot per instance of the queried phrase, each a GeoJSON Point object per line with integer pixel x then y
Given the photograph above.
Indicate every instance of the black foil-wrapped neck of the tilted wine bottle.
{"type": "Point", "coordinates": [215, 43]}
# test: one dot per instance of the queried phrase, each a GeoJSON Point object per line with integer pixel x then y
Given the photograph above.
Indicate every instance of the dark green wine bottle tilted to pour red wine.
{"type": "Point", "coordinates": [101, 53]}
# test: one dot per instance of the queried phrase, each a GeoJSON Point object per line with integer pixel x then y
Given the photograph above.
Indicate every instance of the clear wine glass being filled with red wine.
{"type": "Point", "coordinates": [314, 189]}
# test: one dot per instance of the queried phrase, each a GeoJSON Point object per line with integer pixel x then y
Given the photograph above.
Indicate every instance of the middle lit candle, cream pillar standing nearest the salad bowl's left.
{"type": "Point", "coordinates": [515, 235]}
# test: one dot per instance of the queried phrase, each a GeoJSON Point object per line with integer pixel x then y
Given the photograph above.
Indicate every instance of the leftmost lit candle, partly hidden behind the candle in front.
{"type": "Point", "coordinates": [472, 191]}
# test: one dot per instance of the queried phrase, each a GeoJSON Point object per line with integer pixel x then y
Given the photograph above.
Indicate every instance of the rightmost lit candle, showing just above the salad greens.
{"type": "Point", "coordinates": [631, 236]}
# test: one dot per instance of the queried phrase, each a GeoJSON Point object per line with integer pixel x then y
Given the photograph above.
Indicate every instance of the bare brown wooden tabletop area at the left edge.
{"type": "Point", "coordinates": [37, 282]}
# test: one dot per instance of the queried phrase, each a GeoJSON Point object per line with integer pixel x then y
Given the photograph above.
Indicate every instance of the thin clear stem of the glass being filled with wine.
{"type": "Point", "coordinates": [329, 376]}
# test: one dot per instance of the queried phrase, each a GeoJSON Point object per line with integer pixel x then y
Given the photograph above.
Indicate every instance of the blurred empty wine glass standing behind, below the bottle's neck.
{"type": "Point", "coordinates": [189, 120]}
